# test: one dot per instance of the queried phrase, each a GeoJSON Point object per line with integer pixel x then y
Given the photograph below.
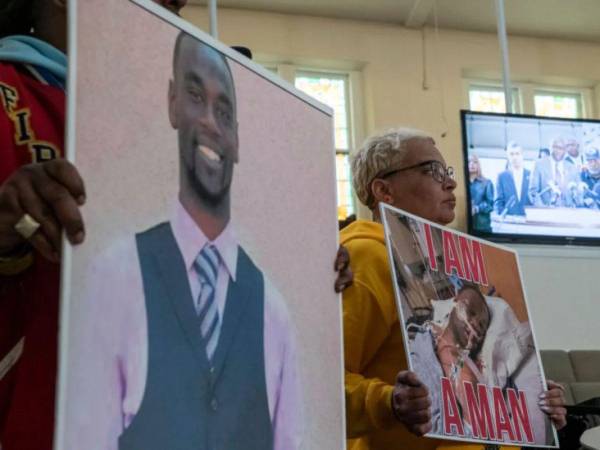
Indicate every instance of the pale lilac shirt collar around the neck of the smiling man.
{"type": "Point", "coordinates": [191, 240]}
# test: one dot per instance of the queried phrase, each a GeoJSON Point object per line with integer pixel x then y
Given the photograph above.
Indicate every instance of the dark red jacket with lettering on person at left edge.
{"type": "Point", "coordinates": [31, 130]}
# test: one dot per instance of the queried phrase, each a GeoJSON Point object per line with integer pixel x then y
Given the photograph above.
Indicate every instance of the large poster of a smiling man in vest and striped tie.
{"type": "Point", "coordinates": [200, 313]}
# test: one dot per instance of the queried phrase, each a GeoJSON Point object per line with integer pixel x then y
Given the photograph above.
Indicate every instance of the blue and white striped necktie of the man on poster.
{"type": "Point", "coordinates": [207, 266]}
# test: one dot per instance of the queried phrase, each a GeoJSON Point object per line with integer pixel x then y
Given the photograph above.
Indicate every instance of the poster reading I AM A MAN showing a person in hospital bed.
{"type": "Point", "coordinates": [468, 333]}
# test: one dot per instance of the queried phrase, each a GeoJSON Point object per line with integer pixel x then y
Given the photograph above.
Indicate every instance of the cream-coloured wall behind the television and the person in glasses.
{"type": "Point", "coordinates": [560, 282]}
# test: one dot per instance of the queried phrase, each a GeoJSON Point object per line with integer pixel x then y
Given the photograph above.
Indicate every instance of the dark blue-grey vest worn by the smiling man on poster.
{"type": "Point", "coordinates": [189, 403]}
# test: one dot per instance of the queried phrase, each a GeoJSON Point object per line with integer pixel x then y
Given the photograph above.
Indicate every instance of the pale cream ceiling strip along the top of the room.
{"type": "Point", "coordinates": [559, 19]}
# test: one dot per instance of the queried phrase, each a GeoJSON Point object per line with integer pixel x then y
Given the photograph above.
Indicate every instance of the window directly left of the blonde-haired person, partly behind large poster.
{"type": "Point", "coordinates": [332, 90]}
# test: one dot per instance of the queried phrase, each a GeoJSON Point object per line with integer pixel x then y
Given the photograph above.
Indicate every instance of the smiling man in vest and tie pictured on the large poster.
{"type": "Point", "coordinates": [195, 349]}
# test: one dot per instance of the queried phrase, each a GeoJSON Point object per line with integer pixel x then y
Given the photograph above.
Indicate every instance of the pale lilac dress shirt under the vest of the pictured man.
{"type": "Point", "coordinates": [107, 385]}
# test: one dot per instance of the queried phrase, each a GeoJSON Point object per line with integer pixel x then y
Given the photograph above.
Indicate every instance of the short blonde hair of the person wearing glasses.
{"type": "Point", "coordinates": [380, 153]}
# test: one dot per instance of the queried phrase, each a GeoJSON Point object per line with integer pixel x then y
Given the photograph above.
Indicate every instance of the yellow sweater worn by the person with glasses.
{"type": "Point", "coordinates": [374, 349]}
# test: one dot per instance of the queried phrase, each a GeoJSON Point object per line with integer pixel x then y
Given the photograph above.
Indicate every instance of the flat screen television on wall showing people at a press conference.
{"type": "Point", "coordinates": [532, 179]}
